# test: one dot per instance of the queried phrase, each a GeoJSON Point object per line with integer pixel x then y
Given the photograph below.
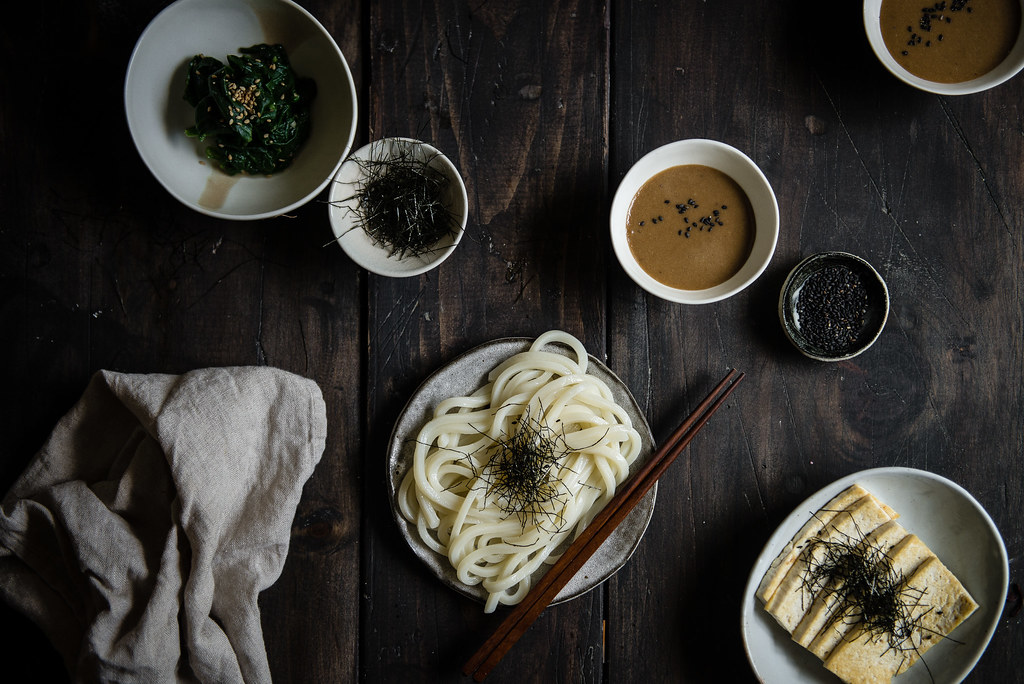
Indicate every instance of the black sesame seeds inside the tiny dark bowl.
{"type": "Point", "coordinates": [832, 308]}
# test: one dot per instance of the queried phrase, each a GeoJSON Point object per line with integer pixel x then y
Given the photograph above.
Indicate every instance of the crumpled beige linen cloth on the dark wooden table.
{"type": "Point", "coordinates": [142, 534]}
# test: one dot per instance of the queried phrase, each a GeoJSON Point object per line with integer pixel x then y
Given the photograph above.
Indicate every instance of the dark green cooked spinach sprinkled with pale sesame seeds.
{"type": "Point", "coordinates": [254, 109]}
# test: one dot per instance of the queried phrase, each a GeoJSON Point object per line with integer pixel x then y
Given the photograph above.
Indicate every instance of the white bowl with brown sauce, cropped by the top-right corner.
{"type": "Point", "coordinates": [948, 48]}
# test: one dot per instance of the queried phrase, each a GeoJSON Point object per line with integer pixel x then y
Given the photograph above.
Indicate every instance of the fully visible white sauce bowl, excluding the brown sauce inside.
{"type": "Point", "coordinates": [728, 160]}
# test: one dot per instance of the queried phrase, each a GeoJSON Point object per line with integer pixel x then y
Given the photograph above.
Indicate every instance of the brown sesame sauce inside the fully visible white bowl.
{"type": "Point", "coordinates": [691, 228]}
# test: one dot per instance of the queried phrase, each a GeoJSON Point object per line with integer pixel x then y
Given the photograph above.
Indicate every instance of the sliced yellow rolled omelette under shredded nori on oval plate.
{"type": "Point", "coordinates": [826, 618]}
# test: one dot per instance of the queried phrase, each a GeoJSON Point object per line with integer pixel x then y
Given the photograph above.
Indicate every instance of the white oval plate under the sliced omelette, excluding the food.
{"type": "Point", "coordinates": [951, 522]}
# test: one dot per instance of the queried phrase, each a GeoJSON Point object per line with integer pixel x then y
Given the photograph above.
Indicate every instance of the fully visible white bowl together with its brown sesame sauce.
{"type": "Point", "coordinates": [695, 222]}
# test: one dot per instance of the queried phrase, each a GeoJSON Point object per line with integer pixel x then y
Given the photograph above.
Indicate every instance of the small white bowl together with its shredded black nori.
{"type": "Point", "coordinates": [398, 207]}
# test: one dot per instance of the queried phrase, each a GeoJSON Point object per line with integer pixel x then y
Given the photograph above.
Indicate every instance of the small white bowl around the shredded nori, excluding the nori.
{"type": "Point", "coordinates": [358, 245]}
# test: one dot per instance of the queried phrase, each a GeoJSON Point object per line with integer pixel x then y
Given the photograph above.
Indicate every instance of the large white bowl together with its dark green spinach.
{"type": "Point", "coordinates": [241, 109]}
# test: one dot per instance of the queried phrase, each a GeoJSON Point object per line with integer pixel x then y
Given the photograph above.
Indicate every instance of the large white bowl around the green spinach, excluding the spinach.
{"type": "Point", "coordinates": [158, 115]}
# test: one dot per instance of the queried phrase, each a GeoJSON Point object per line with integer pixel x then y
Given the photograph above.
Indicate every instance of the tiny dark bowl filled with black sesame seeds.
{"type": "Point", "coordinates": [833, 307]}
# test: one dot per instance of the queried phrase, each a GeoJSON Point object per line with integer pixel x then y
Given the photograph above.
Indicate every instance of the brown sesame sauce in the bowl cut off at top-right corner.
{"type": "Point", "coordinates": [950, 41]}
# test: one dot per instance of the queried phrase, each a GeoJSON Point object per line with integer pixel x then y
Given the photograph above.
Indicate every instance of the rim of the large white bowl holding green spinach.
{"type": "Point", "coordinates": [132, 72]}
